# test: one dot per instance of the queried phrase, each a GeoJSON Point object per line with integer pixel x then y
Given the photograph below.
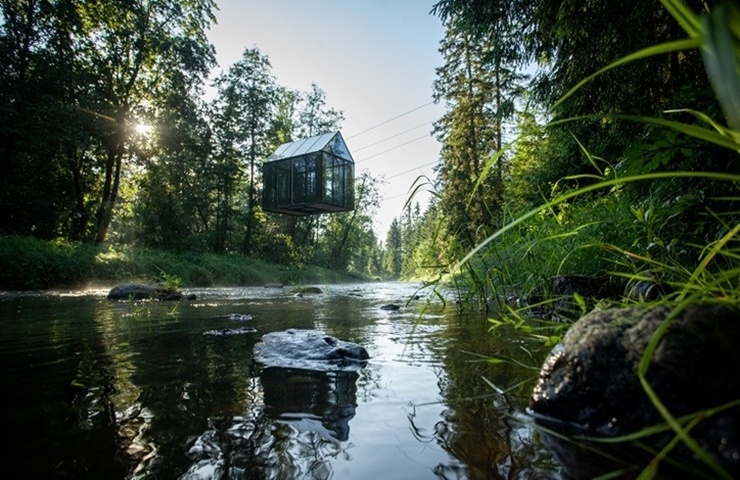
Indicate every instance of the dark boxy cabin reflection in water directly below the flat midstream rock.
{"type": "Point", "coordinates": [319, 402]}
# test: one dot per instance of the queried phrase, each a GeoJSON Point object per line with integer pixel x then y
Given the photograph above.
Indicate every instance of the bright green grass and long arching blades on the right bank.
{"type": "Point", "coordinates": [686, 242]}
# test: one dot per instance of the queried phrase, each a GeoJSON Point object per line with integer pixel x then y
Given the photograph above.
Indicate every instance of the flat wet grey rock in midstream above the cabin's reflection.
{"type": "Point", "coordinates": [309, 350]}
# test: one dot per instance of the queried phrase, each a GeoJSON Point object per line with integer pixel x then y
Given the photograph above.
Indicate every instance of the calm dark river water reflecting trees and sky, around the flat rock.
{"type": "Point", "coordinates": [109, 390]}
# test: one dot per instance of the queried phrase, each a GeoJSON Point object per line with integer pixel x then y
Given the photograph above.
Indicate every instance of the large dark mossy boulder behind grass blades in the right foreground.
{"type": "Point", "coordinates": [589, 386]}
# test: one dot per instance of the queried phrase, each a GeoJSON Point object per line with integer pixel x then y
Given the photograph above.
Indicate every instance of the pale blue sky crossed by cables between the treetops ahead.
{"type": "Point", "coordinates": [375, 60]}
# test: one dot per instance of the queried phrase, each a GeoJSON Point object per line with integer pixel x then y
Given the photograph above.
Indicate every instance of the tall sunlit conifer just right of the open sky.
{"type": "Point", "coordinates": [477, 83]}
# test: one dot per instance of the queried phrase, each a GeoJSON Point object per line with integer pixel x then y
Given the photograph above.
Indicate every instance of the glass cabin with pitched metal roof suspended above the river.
{"type": "Point", "coordinates": [309, 176]}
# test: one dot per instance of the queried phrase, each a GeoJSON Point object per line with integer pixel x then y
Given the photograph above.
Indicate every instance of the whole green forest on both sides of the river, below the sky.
{"type": "Point", "coordinates": [548, 166]}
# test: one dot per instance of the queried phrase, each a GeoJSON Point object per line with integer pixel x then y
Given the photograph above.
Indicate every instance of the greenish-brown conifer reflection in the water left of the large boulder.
{"type": "Point", "coordinates": [479, 426]}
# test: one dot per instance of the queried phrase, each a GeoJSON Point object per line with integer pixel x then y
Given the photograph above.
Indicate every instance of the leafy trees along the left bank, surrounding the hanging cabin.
{"type": "Point", "coordinates": [80, 79]}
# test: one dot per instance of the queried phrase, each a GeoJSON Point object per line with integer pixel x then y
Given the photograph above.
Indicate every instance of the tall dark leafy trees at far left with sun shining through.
{"type": "Point", "coordinates": [77, 78]}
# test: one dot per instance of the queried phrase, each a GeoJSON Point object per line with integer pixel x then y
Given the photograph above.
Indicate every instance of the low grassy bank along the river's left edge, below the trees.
{"type": "Point", "coordinates": [30, 264]}
